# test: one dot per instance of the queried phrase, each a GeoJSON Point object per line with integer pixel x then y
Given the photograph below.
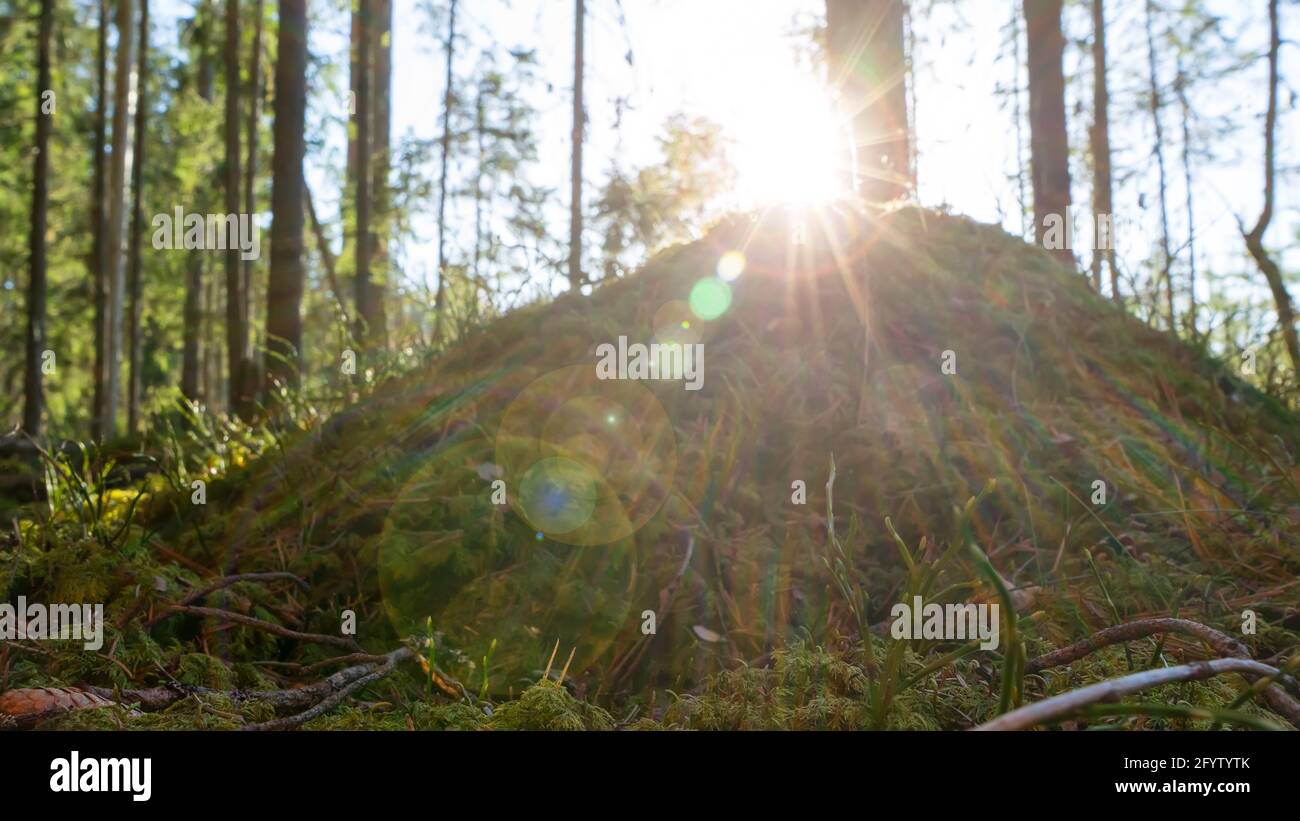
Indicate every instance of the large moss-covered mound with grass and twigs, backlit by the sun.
{"type": "Point", "coordinates": [926, 354]}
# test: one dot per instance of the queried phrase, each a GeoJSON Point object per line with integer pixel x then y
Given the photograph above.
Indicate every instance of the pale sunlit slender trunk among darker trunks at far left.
{"type": "Point", "coordinates": [118, 206]}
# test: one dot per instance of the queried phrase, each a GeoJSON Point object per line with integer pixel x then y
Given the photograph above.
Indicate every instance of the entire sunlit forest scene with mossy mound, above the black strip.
{"type": "Point", "coordinates": [649, 364]}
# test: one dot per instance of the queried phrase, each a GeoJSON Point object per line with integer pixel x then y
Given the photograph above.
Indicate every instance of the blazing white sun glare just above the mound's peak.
{"type": "Point", "coordinates": [791, 149]}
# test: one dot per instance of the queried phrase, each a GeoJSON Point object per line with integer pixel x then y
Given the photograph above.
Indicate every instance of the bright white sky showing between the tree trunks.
{"type": "Point", "coordinates": [735, 62]}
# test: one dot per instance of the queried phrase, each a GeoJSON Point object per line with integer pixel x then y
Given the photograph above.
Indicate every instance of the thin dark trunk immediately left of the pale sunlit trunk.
{"type": "Point", "coordinates": [99, 214]}
